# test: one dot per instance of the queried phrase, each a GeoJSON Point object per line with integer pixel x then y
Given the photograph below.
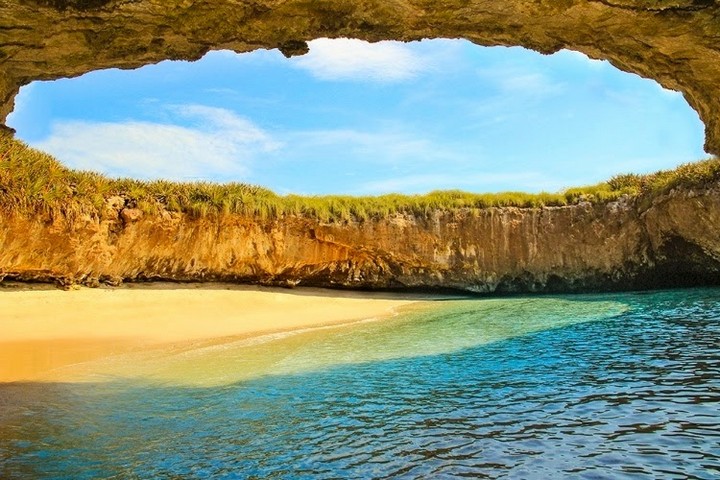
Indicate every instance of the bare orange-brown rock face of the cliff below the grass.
{"type": "Point", "coordinates": [621, 245]}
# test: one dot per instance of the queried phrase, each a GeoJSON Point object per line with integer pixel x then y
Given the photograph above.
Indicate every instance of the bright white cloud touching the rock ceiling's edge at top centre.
{"type": "Point", "coordinates": [351, 59]}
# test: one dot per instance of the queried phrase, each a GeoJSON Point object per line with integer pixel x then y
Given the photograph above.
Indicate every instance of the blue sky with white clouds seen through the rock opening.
{"type": "Point", "coordinates": [358, 118]}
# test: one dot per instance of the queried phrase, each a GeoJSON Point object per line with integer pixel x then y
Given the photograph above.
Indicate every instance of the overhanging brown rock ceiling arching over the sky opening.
{"type": "Point", "coordinates": [676, 42]}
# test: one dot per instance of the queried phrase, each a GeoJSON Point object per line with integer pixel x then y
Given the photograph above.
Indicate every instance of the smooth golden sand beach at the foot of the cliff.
{"type": "Point", "coordinates": [43, 330]}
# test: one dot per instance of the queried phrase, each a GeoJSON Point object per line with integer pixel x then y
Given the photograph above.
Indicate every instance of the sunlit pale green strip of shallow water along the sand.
{"type": "Point", "coordinates": [428, 329]}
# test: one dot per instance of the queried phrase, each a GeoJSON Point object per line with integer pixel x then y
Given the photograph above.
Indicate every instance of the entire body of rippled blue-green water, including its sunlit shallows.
{"type": "Point", "coordinates": [606, 386]}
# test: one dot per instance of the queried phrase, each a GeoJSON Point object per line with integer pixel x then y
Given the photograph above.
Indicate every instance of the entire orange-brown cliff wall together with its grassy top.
{"type": "Point", "coordinates": [633, 231]}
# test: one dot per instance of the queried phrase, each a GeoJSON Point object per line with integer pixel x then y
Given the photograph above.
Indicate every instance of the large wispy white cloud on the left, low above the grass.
{"type": "Point", "coordinates": [218, 144]}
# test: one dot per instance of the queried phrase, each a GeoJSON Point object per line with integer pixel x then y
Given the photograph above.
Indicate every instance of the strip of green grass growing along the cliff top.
{"type": "Point", "coordinates": [32, 181]}
